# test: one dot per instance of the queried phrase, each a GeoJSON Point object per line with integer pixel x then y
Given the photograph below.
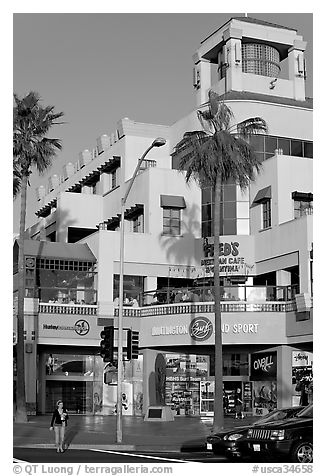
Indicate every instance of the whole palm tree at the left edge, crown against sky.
{"type": "Point", "coordinates": [31, 148]}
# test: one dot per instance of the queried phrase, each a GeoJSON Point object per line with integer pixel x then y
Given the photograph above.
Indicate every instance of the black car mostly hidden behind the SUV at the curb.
{"type": "Point", "coordinates": [225, 442]}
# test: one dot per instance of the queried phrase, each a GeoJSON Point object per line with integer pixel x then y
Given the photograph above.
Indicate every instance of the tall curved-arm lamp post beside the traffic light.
{"type": "Point", "coordinates": [156, 143]}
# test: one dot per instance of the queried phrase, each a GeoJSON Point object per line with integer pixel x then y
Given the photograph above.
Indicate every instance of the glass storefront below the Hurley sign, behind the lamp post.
{"type": "Point", "coordinates": [79, 381]}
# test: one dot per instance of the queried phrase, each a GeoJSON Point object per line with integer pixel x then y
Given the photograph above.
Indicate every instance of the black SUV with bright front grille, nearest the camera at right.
{"type": "Point", "coordinates": [289, 440]}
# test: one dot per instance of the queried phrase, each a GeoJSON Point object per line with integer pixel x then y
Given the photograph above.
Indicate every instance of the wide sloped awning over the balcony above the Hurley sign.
{"type": "Point", "coordinates": [56, 250]}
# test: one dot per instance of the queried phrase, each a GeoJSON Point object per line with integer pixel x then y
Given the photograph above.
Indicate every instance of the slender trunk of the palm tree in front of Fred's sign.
{"type": "Point", "coordinates": [218, 422]}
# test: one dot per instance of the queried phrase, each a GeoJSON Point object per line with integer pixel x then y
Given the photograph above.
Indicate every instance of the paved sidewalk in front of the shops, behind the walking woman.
{"type": "Point", "coordinates": [99, 432]}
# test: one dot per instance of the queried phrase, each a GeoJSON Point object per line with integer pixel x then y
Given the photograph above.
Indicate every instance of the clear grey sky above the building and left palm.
{"type": "Point", "coordinates": [100, 67]}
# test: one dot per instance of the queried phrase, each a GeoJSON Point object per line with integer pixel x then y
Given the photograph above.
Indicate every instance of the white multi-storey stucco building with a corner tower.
{"type": "Point", "coordinates": [259, 70]}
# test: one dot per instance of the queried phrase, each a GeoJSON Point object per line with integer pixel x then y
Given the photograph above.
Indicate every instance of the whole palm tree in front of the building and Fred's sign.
{"type": "Point", "coordinates": [213, 156]}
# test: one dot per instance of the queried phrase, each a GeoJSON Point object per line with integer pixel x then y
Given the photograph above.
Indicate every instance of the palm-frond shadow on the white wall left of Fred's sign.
{"type": "Point", "coordinates": [179, 250]}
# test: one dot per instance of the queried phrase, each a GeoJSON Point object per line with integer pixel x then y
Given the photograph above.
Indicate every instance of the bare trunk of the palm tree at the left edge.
{"type": "Point", "coordinates": [21, 414]}
